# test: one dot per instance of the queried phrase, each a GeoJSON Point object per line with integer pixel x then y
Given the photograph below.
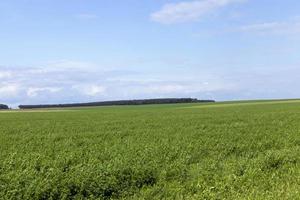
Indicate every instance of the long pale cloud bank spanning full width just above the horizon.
{"type": "Point", "coordinates": [71, 82]}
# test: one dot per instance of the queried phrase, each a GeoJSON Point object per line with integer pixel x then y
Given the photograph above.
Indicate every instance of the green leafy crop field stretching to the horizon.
{"type": "Point", "coordinates": [233, 150]}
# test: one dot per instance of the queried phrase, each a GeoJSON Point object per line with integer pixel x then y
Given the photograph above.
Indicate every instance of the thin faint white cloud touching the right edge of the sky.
{"type": "Point", "coordinates": [279, 28]}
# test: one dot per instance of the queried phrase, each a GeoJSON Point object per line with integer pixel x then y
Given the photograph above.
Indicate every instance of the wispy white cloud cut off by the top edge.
{"type": "Point", "coordinates": [186, 11]}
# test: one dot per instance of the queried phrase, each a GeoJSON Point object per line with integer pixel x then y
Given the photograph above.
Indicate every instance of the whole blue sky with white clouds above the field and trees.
{"type": "Point", "coordinates": [54, 51]}
